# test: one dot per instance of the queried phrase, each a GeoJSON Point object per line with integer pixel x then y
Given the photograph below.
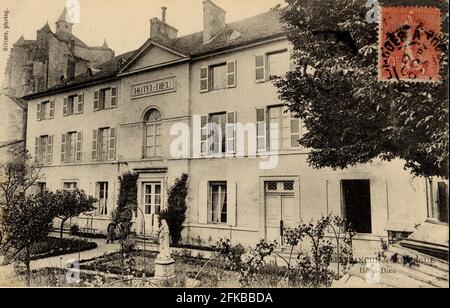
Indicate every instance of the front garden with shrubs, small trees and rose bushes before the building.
{"type": "Point", "coordinates": [313, 255]}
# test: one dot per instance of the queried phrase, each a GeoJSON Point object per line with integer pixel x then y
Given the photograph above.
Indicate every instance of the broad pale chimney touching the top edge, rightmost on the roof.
{"type": "Point", "coordinates": [213, 20]}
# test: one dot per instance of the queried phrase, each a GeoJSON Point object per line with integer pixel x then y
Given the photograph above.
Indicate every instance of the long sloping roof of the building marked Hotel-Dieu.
{"type": "Point", "coordinates": [254, 29]}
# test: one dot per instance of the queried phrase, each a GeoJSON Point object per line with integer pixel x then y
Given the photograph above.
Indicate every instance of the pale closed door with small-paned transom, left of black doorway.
{"type": "Point", "coordinates": [281, 209]}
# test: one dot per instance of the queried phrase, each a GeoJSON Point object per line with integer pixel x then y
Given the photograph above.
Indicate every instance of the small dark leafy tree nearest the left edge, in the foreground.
{"type": "Point", "coordinates": [26, 221]}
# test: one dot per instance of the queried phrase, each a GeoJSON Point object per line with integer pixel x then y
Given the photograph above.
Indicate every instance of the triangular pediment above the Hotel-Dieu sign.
{"type": "Point", "coordinates": [150, 55]}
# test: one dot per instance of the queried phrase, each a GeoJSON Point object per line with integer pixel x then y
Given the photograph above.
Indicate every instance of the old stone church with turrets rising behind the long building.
{"type": "Point", "coordinates": [37, 65]}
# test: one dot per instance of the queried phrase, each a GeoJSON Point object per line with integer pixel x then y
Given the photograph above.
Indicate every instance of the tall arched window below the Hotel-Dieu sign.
{"type": "Point", "coordinates": [153, 133]}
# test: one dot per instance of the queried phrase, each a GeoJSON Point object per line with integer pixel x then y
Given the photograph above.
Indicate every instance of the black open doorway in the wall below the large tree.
{"type": "Point", "coordinates": [356, 204]}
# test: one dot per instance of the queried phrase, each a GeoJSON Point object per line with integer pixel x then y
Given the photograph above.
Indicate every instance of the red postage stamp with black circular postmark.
{"type": "Point", "coordinates": [410, 39]}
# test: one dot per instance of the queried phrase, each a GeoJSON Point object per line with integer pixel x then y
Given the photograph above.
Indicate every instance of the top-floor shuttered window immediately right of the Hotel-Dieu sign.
{"type": "Point", "coordinates": [218, 77]}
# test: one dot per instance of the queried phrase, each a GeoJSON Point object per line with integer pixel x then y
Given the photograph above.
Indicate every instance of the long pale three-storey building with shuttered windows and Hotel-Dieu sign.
{"type": "Point", "coordinates": [117, 118]}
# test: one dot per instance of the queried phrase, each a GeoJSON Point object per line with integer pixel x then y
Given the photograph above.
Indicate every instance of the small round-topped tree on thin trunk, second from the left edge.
{"type": "Point", "coordinates": [69, 204]}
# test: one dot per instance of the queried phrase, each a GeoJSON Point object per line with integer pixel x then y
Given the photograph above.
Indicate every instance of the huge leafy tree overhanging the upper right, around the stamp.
{"type": "Point", "coordinates": [350, 116]}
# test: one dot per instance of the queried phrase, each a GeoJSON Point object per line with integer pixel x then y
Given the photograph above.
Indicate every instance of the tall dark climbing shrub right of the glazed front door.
{"type": "Point", "coordinates": [175, 214]}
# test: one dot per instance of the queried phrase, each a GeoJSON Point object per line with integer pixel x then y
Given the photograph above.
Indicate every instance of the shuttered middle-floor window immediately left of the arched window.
{"type": "Point", "coordinates": [104, 144]}
